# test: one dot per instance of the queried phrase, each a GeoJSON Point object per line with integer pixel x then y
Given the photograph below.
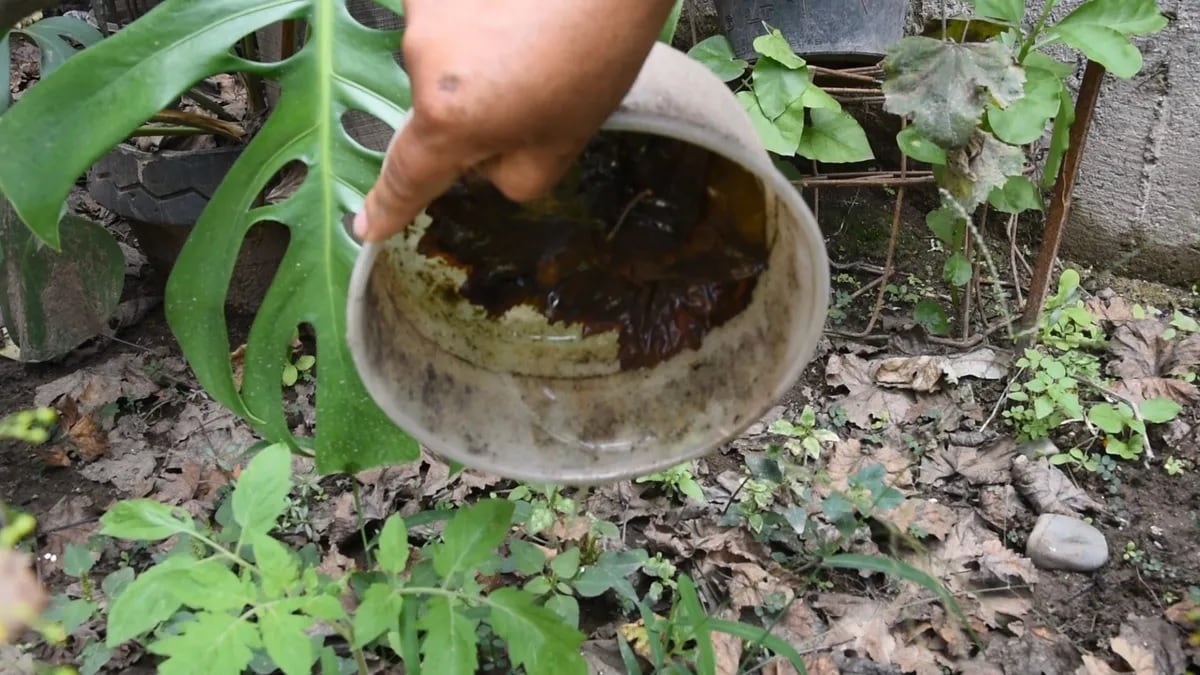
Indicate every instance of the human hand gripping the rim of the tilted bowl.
{"type": "Point", "coordinates": [512, 91]}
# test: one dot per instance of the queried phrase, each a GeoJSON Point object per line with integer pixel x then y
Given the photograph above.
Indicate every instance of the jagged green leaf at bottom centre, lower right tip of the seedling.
{"type": "Point", "coordinates": [537, 638]}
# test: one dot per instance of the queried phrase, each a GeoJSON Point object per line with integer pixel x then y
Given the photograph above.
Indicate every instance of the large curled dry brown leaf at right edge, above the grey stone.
{"type": "Point", "coordinates": [1148, 365]}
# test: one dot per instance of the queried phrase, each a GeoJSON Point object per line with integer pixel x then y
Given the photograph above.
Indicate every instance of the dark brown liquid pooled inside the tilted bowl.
{"type": "Point", "coordinates": [656, 238]}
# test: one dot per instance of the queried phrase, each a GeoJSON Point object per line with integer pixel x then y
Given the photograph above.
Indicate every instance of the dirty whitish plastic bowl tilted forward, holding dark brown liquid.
{"type": "Point", "coordinates": [451, 333]}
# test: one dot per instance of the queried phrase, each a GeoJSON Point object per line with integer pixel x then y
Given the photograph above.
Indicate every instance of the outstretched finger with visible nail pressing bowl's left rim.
{"type": "Point", "coordinates": [415, 174]}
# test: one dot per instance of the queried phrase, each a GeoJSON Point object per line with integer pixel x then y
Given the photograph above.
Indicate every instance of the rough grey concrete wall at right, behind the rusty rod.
{"type": "Point", "coordinates": [1137, 208]}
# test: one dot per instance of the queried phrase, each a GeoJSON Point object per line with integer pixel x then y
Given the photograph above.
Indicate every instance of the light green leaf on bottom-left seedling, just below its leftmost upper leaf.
{"type": "Point", "coordinates": [148, 601]}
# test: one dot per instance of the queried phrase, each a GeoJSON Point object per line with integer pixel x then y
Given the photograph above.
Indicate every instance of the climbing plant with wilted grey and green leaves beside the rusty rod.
{"type": "Point", "coordinates": [980, 91]}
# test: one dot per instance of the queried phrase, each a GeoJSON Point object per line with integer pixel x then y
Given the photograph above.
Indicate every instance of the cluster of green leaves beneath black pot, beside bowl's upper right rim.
{"type": "Point", "coordinates": [793, 115]}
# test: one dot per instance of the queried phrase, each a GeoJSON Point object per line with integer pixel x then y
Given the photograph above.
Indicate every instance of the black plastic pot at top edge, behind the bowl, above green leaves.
{"type": "Point", "coordinates": [844, 32]}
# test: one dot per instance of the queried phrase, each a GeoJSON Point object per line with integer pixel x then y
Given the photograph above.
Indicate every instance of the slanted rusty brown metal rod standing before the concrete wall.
{"type": "Point", "coordinates": [1060, 201]}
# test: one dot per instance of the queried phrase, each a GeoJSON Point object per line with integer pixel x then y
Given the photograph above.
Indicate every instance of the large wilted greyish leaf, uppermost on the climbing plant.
{"type": "Point", "coordinates": [945, 87]}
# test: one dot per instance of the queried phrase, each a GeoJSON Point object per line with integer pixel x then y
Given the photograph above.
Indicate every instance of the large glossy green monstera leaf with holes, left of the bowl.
{"type": "Point", "coordinates": [94, 101]}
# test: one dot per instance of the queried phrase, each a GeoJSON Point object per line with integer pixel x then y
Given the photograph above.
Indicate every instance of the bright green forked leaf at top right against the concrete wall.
{"type": "Point", "coordinates": [1101, 29]}
